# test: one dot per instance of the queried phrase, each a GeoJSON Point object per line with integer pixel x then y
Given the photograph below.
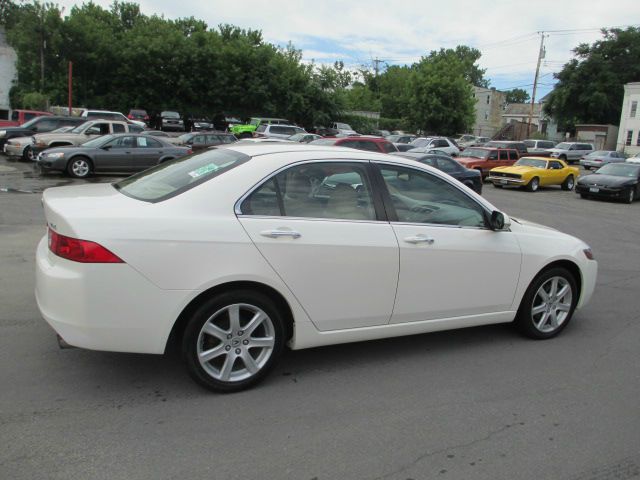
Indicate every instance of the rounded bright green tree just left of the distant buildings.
{"type": "Point", "coordinates": [442, 97]}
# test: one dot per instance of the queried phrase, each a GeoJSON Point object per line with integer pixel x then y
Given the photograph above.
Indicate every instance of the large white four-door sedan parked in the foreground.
{"type": "Point", "coordinates": [234, 253]}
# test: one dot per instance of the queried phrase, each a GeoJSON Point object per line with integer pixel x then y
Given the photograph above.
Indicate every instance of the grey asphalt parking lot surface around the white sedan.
{"type": "Point", "coordinates": [481, 403]}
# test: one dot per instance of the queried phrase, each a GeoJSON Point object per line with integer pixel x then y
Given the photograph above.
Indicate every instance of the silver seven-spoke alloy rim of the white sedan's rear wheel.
{"type": "Point", "coordinates": [236, 342]}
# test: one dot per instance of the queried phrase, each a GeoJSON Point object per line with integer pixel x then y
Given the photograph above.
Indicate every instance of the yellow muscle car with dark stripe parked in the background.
{"type": "Point", "coordinates": [534, 172]}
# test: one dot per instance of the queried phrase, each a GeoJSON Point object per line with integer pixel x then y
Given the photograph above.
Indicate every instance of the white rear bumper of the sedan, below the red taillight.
{"type": "Point", "coordinates": [107, 307]}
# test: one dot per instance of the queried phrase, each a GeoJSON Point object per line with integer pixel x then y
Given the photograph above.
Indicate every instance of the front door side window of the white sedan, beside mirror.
{"type": "Point", "coordinates": [420, 197]}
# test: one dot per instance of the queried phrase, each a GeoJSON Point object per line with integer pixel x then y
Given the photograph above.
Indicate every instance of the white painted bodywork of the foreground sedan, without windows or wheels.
{"type": "Point", "coordinates": [339, 281]}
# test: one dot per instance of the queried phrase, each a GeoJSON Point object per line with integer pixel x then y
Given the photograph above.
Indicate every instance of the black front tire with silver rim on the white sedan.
{"type": "Point", "coordinates": [529, 324]}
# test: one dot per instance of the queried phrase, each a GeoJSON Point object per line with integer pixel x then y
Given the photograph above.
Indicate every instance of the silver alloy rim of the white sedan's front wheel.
{"type": "Point", "coordinates": [551, 304]}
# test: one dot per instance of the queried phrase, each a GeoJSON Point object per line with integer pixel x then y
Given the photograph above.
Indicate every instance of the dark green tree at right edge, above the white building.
{"type": "Point", "coordinates": [590, 87]}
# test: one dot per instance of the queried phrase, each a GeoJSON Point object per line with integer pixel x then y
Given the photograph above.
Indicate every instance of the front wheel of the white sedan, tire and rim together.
{"type": "Point", "coordinates": [548, 304]}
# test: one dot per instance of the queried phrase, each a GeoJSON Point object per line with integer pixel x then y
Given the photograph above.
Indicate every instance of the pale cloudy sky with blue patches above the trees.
{"type": "Point", "coordinates": [507, 33]}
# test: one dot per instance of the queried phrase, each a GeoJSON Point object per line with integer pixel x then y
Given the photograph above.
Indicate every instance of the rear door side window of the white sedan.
{"type": "Point", "coordinates": [317, 190]}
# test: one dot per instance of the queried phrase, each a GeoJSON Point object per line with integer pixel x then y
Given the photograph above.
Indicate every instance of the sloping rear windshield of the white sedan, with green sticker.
{"type": "Point", "coordinates": [177, 176]}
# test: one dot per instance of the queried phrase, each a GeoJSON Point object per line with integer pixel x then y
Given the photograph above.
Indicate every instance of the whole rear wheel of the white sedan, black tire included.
{"type": "Point", "coordinates": [216, 310]}
